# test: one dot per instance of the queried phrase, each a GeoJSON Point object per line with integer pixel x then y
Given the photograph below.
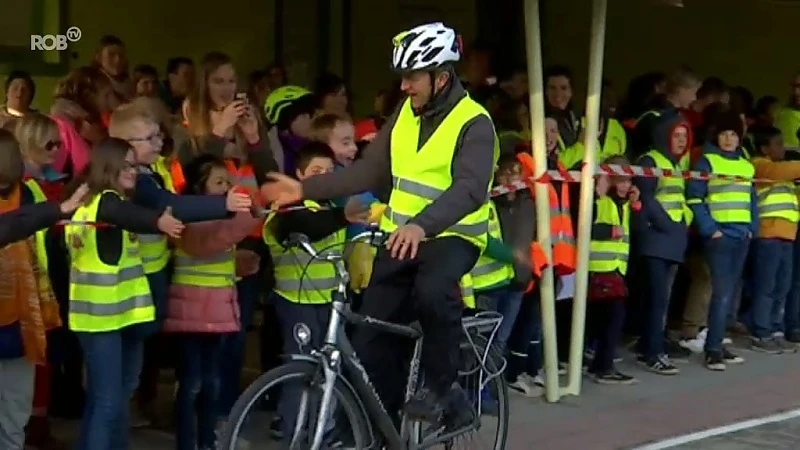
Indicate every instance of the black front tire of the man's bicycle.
{"type": "Point", "coordinates": [345, 399]}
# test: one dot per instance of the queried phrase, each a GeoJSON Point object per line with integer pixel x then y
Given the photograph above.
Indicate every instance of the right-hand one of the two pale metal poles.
{"type": "Point", "coordinates": [587, 194]}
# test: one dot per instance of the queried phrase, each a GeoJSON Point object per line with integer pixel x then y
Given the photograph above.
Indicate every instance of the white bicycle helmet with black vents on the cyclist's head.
{"type": "Point", "coordinates": [425, 47]}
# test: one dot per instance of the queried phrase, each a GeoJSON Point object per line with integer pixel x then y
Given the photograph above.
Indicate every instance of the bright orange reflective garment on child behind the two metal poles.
{"type": "Point", "coordinates": [564, 250]}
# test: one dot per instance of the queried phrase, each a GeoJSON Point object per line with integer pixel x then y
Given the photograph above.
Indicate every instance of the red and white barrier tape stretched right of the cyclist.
{"type": "Point", "coordinates": [574, 176]}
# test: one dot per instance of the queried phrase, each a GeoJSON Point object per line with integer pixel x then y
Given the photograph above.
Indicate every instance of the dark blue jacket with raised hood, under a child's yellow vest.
{"type": "Point", "coordinates": [659, 236]}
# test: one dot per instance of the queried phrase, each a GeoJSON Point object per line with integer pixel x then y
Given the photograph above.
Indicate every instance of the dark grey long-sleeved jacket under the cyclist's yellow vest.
{"type": "Point", "coordinates": [472, 168]}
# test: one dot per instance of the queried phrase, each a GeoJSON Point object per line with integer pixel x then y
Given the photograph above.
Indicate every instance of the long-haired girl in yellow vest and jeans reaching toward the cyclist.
{"type": "Point", "coordinates": [109, 297]}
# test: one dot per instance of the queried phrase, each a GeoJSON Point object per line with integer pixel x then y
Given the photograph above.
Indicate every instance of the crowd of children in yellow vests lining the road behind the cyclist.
{"type": "Point", "coordinates": [121, 226]}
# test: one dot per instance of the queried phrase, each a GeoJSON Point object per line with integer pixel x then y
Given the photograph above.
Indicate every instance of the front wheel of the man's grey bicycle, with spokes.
{"type": "Point", "coordinates": [298, 388]}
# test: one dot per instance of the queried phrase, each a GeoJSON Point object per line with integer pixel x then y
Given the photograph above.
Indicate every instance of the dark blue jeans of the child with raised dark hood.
{"type": "Point", "coordinates": [660, 276]}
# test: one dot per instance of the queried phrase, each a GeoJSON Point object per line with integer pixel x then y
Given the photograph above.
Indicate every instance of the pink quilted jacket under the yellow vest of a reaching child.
{"type": "Point", "coordinates": [196, 309]}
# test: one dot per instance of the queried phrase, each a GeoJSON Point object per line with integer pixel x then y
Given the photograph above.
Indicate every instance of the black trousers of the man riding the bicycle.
{"type": "Point", "coordinates": [402, 291]}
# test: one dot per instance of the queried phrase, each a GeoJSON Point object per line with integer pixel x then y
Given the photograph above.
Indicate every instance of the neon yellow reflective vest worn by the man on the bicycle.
{"type": "Point", "coordinates": [420, 176]}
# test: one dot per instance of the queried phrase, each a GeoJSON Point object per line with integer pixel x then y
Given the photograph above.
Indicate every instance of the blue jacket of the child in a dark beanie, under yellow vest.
{"type": "Point", "coordinates": [698, 189]}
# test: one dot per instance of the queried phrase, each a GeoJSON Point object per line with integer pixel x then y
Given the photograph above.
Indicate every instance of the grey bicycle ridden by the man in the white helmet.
{"type": "Point", "coordinates": [346, 391]}
